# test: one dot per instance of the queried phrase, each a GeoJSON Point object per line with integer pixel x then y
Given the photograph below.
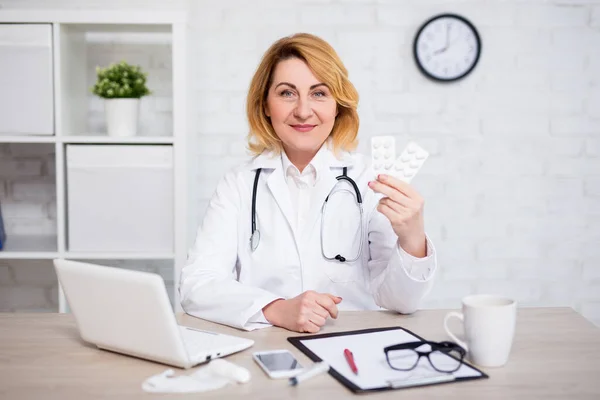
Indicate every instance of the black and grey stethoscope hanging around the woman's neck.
{"type": "Point", "coordinates": [255, 236]}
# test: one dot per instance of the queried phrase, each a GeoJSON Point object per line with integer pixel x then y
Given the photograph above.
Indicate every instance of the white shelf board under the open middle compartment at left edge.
{"type": "Point", "coordinates": [29, 247]}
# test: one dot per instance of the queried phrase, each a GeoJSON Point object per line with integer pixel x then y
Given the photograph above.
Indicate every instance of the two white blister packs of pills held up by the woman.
{"type": "Point", "coordinates": [404, 167]}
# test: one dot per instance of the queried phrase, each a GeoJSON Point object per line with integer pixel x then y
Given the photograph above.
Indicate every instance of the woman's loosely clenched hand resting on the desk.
{"type": "Point", "coordinates": [307, 312]}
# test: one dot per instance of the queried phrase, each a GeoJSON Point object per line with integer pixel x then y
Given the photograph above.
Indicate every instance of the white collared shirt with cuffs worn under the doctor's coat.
{"type": "Point", "coordinates": [300, 185]}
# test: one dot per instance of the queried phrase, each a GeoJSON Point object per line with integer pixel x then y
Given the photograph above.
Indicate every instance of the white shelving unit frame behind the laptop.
{"type": "Point", "coordinates": [71, 92]}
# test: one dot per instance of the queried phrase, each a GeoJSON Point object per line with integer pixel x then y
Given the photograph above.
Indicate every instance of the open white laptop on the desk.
{"type": "Point", "coordinates": [129, 312]}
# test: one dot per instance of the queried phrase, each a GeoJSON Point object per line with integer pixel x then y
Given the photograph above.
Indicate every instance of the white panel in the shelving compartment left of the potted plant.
{"type": "Point", "coordinates": [26, 90]}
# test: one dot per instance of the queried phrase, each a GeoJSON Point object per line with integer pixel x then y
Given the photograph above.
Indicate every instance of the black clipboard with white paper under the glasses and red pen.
{"type": "Point", "coordinates": [367, 346]}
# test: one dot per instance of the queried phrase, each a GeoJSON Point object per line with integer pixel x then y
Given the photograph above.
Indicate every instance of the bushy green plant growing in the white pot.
{"type": "Point", "coordinates": [122, 80]}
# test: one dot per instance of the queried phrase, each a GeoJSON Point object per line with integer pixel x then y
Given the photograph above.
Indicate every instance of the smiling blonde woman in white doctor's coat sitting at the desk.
{"type": "Point", "coordinates": [306, 260]}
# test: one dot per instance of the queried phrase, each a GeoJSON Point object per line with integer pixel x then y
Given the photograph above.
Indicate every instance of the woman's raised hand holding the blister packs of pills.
{"type": "Point", "coordinates": [403, 206]}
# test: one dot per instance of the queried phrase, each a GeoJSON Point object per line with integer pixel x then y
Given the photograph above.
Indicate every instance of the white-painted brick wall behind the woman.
{"type": "Point", "coordinates": [513, 184]}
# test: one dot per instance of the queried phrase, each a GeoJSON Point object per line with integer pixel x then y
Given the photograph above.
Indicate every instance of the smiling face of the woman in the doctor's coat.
{"type": "Point", "coordinates": [301, 108]}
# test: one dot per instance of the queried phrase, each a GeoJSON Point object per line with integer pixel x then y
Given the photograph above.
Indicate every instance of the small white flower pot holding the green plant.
{"type": "Point", "coordinates": [121, 116]}
